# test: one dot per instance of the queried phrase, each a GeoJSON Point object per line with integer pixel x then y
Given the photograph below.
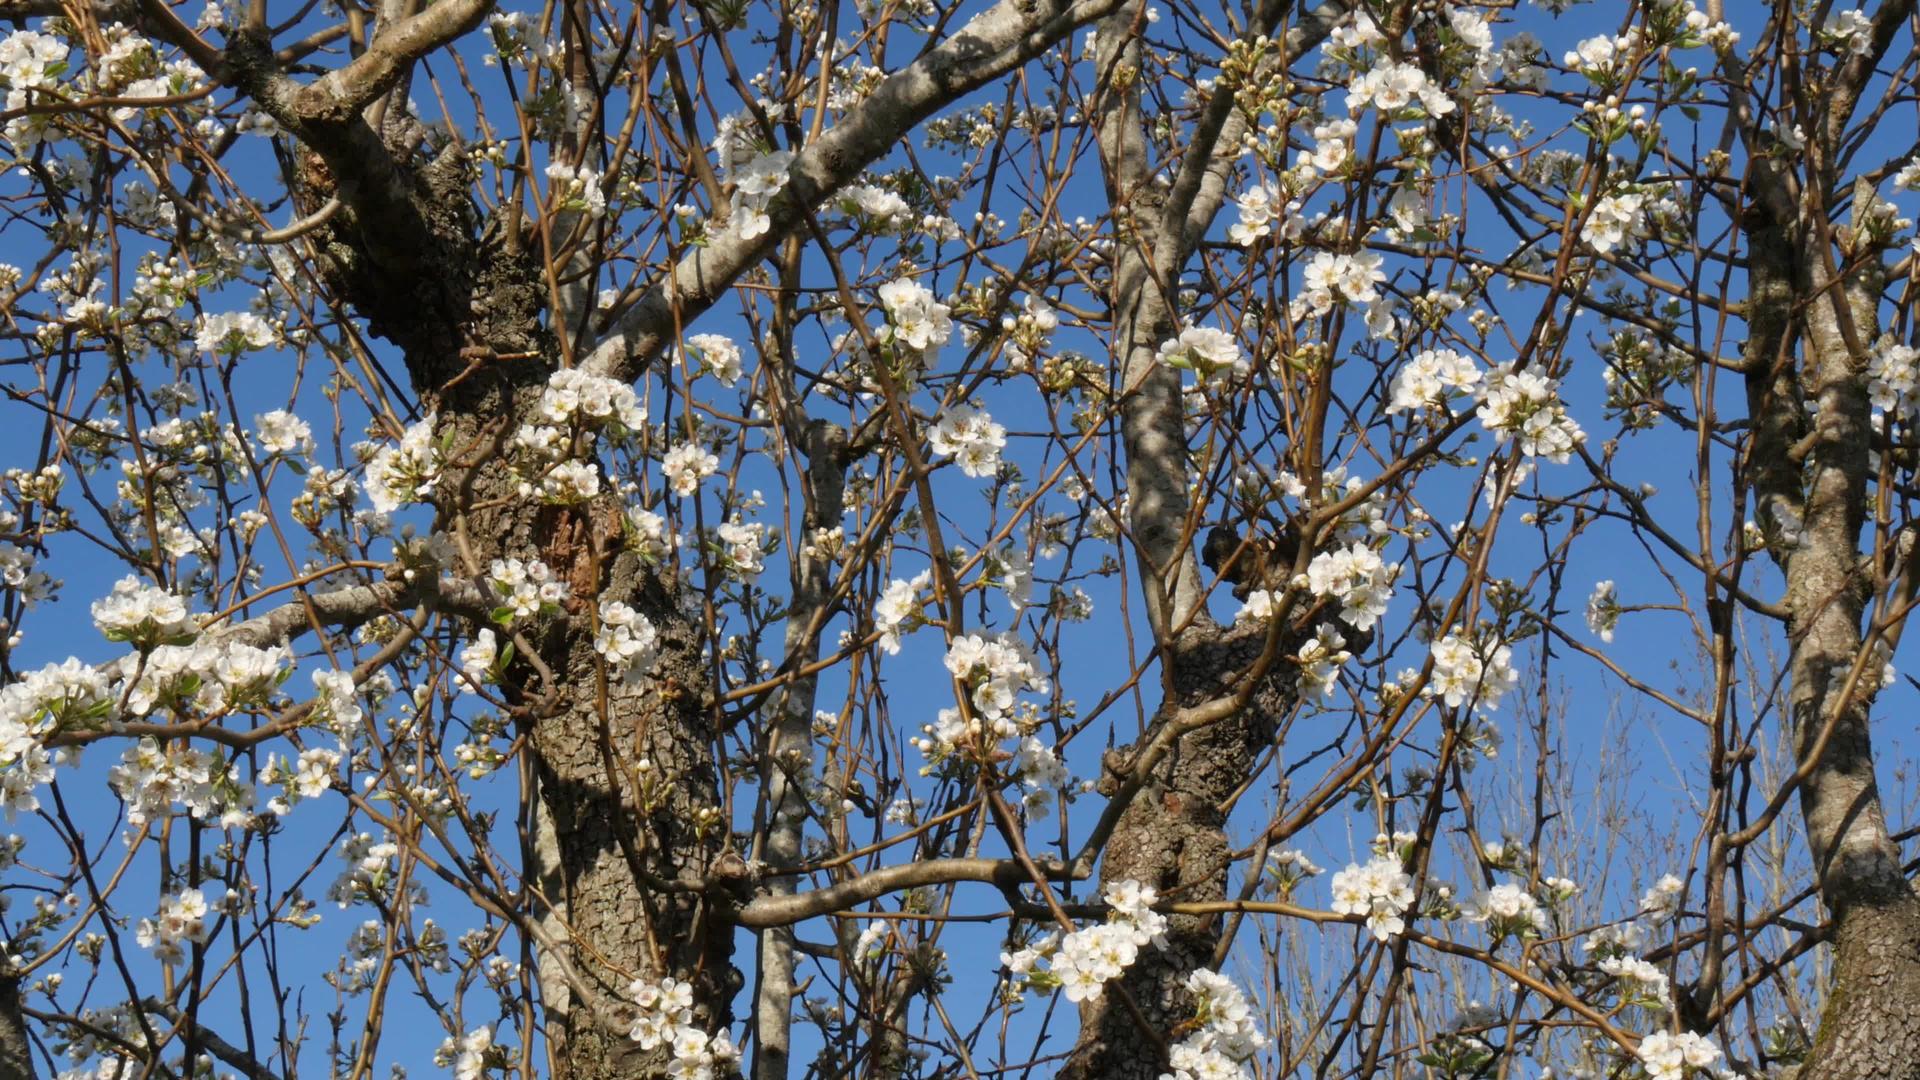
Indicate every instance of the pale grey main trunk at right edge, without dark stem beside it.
{"type": "Point", "coordinates": [1871, 1021]}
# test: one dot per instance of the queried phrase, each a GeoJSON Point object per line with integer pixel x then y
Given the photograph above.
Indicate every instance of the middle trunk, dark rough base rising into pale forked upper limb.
{"type": "Point", "coordinates": [1172, 833]}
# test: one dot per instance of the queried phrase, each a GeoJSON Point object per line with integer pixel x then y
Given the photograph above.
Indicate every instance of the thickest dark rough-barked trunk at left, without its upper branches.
{"type": "Point", "coordinates": [617, 850]}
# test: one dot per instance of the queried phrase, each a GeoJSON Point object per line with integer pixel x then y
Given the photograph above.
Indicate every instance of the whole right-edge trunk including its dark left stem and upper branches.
{"type": "Point", "coordinates": [1810, 333]}
